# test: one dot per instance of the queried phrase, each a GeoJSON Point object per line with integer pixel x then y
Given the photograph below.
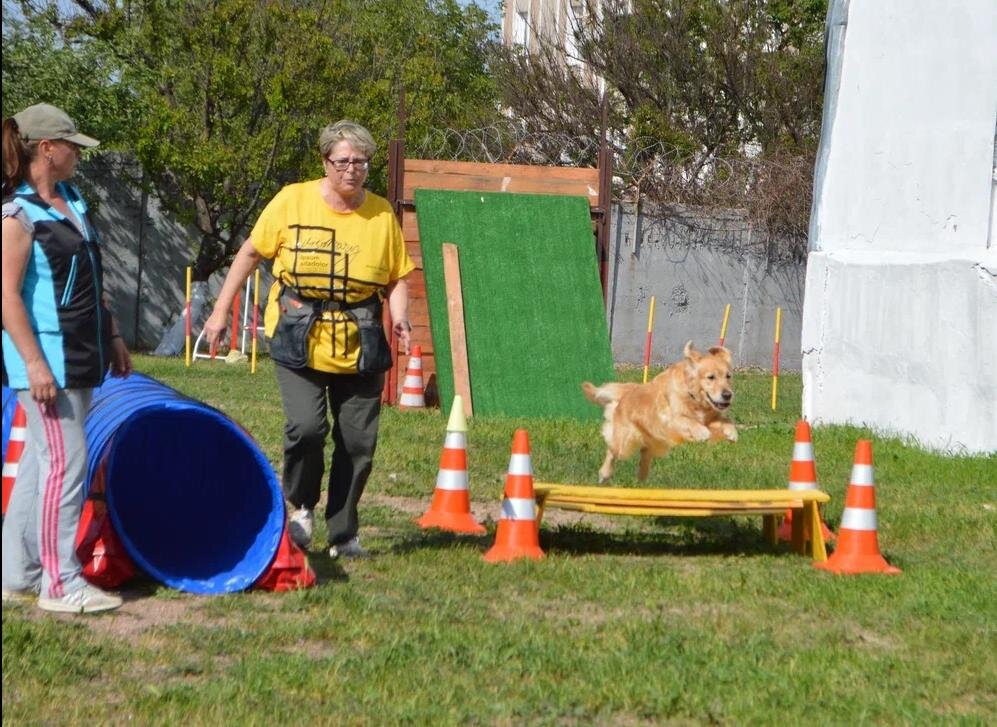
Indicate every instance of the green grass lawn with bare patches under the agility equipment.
{"type": "Point", "coordinates": [627, 621]}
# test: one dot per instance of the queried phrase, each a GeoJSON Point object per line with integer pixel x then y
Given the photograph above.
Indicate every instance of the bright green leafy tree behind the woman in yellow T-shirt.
{"type": "Point", "coordinates": [226, 98]}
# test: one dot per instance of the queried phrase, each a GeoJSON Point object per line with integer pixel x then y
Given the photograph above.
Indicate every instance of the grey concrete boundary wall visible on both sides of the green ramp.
{"type": "Point", "coordinates": [694, 263]}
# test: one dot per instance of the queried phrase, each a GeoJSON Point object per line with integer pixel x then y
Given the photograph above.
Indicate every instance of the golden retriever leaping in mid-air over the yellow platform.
{"type": "Point", "coordinates": [684, 403]}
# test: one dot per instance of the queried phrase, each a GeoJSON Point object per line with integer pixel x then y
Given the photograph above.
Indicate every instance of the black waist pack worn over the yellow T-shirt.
{"type": "Point", "coordinates": [289, 343]}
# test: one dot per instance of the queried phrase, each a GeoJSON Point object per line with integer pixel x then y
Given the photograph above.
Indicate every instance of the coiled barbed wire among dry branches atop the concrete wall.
{"type": "Point", "coordinates": [771, 193]}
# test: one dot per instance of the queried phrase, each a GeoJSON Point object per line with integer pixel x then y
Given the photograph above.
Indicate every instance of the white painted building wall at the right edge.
{"type": "Point", "coordinates": [899, 328]}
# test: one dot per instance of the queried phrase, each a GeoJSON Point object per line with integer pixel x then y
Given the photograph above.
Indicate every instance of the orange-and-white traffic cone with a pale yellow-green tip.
{"type": "Point", "coordinates": [451, 506]}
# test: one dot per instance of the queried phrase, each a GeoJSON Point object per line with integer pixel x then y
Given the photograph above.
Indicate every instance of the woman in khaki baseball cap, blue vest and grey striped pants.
{"type": "Point", "coordinates": [59, 341]}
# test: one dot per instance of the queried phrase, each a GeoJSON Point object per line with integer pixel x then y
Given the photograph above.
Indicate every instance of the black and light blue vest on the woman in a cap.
{"type": "Point", "coordinates": [62, 292]}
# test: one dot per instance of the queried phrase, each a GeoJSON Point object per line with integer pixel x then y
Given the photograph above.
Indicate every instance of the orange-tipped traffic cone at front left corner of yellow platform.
{"type": "Point", "coordinates": [517, 535]}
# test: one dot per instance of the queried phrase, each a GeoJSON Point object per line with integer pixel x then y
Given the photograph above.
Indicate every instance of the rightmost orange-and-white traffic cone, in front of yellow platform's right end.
{"type": "Point", "coordinates": [858, 545]}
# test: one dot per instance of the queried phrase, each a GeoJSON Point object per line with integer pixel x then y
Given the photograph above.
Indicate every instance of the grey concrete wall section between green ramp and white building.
{"type": "Point", "coordinates": [694, 263]}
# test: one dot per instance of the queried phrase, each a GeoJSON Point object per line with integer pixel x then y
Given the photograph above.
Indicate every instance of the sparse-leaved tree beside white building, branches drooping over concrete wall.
{"type": "Point", "coordinates": [709, 101]}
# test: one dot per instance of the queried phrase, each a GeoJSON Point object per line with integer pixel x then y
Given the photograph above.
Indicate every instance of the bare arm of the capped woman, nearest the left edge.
{"type": "Point", "coordinates": [16, 251]}
